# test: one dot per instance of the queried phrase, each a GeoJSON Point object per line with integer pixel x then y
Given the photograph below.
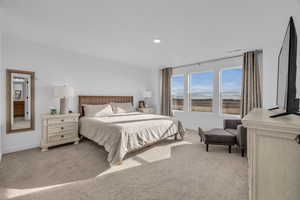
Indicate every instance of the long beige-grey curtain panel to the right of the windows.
{"type": "Point", "coordinates": [251, 90]}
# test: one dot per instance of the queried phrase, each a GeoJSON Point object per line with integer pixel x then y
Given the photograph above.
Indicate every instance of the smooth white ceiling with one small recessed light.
{"type": "Point", "coordinates": [190, 30]}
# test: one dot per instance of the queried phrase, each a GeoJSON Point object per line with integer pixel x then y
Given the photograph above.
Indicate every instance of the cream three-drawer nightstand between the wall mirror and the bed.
{"type": "Point", "coordinates": [59, 129]}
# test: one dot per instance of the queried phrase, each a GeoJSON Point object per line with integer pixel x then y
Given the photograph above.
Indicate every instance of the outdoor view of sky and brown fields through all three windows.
{"type": "Point", "coordinates": [201, 90]}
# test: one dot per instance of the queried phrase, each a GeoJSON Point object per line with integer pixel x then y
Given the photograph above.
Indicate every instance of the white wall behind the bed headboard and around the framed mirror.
{"type": "Point", "coordinates": [88, 75]}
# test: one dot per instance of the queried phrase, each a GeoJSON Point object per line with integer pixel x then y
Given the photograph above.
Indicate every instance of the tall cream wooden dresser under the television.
{"type": "Point", "coordinates": [273, 156]}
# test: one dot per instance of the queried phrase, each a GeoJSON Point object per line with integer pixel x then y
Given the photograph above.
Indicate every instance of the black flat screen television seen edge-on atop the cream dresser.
{"type": "Point", "coordinates": [287, 73]}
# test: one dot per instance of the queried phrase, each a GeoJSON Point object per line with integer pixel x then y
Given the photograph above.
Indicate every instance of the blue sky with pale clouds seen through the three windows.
{"type": "Point", "coordinates": [202, 83]}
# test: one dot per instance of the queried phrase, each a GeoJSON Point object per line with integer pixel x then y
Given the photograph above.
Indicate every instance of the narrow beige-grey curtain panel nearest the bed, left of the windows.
{"type": "Point", "coordinates": [166, 92]}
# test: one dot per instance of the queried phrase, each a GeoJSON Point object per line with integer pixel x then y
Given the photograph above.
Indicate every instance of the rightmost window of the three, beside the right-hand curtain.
{"type": "Point", "coordinates": [231, 84]}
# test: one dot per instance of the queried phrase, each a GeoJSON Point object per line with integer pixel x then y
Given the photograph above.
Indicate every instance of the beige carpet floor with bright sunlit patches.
{"type": "Point", "coordinates": [171, 170]}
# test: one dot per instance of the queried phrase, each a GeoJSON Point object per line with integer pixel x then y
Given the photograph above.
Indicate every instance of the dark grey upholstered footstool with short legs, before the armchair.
{"type": "Point", "coordinates": [217, 136]}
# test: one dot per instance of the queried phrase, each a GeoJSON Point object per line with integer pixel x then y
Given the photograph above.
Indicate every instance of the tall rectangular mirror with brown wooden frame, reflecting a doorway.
{"type": "Point", "coordinates": [20, 101]}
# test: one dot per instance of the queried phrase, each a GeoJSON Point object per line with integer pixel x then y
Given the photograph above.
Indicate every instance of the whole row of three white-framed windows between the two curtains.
{"type": "Point", "coordinates": [212, 87]}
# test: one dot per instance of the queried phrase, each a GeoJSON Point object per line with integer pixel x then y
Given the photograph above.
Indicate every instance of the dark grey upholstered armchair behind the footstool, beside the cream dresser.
{"type": "Point", "coordinates": [235, 127]}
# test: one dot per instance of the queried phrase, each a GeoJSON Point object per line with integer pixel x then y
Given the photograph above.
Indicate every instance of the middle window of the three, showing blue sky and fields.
{"type": "Point", "coordinates": [201, 91]}
